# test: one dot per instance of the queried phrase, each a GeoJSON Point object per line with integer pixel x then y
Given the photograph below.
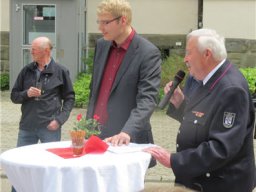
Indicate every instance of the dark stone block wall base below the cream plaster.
{"type": "Point", "coordinates": [241, 52]}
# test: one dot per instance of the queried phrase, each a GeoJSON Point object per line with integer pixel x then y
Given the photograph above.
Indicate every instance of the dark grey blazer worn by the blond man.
{"type": "Point", "coordinates": [133, 96]}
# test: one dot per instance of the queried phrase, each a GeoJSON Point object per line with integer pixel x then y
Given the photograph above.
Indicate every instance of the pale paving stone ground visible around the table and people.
{"type": "Point", "coordinates": [165, 129]}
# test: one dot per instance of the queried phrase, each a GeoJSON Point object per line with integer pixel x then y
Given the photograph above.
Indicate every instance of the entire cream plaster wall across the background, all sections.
{"type": "Point", "coordinates": [232, 18]}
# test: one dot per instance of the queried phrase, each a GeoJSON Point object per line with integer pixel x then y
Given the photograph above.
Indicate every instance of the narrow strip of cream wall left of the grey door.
{"type": "Point", "coordinates": [4, 15]}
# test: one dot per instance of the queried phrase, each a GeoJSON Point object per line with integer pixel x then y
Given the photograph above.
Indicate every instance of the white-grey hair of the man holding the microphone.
{"type": "Point", "coordinates": [210, 39]}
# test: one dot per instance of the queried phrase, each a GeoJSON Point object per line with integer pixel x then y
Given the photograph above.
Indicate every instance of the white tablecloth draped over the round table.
{"type": "Point", "coordinates": [34, 169]}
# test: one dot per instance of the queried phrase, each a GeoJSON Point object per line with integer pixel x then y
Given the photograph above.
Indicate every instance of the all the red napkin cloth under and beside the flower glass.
{"type": "Point", "coordinates": [93, 145]}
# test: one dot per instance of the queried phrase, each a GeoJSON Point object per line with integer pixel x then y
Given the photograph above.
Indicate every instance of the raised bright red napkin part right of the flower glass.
{"type": "Point", "coordinates": [95, 145]}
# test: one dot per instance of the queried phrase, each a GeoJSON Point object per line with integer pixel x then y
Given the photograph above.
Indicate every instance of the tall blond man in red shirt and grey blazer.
{"type": "Point", "coordinates": [126, 77]}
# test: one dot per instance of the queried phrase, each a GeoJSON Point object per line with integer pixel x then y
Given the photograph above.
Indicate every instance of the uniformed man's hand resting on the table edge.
{"type": "Point", "coordinates": [161, 155]}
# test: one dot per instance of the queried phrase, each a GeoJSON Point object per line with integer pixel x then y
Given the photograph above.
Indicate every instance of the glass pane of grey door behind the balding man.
{"type": "Point", "coordinates": [38, 20]}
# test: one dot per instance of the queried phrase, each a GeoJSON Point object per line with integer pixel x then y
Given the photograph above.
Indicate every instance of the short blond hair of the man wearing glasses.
{"type": "Point", "coordinates": [116, 8]}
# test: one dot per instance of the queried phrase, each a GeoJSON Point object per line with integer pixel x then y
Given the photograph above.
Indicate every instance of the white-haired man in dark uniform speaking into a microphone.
{"type": "Point", "coordinates": [215, 139]}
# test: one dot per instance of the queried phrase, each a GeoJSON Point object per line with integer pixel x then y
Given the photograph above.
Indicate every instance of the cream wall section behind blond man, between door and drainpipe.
{"type": "Point", "coordinates": [154, 16]}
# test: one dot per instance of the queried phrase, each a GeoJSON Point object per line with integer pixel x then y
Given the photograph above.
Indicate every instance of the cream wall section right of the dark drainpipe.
{"type": "Point", "coordinates": [231, 18]}
